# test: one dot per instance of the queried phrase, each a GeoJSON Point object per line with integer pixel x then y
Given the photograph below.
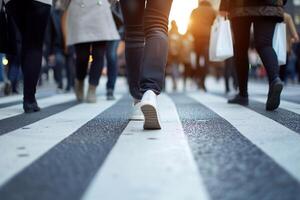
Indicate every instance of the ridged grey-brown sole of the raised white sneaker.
{"type": "Point", "coordinates": [151, 118]}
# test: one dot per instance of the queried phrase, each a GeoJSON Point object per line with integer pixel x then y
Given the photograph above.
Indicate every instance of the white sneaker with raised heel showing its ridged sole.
{"type": "Point", "coordinates": [149, 109]}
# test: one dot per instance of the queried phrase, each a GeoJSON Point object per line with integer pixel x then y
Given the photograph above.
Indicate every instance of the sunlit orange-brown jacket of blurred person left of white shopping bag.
{"type": "Point", "coordinates": [201, 21]}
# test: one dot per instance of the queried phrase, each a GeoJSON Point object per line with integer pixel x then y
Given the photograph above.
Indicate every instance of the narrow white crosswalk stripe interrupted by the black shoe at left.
{"type": "Point", "coordinates": [15, 110]}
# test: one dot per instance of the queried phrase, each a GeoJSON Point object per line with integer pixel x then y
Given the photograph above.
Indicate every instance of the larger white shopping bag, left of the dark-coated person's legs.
{"type": "Point", "coordinates": [221, 43]}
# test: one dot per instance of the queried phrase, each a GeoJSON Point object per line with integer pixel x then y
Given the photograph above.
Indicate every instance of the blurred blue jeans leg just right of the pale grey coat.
{"type": "Point", "coordinates": [112, 68]}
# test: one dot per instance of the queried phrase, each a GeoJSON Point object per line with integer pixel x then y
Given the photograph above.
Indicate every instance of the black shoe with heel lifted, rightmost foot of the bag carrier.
{"type": "Point", "coordinates": [275, 90]}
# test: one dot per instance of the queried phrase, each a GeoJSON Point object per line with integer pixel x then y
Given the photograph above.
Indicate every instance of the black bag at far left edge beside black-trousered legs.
{"type": "Point", "coordinates": [8, 41]}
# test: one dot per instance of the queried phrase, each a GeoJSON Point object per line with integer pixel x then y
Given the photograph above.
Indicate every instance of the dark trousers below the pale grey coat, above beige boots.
{"type": "Point", "coordinates": [83, 52]}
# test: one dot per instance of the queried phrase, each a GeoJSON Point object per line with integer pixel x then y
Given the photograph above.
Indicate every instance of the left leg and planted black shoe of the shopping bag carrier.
{"type": "Point", "coordinates": [241, 31]}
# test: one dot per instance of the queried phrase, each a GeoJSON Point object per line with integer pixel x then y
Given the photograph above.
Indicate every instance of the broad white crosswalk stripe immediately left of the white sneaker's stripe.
{"type": "Point", "coordinates": [41, 136]}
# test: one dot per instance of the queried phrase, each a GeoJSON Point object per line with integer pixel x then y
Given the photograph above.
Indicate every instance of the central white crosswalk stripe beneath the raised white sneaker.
{"type": "Point", "coordinates": [150, 164]}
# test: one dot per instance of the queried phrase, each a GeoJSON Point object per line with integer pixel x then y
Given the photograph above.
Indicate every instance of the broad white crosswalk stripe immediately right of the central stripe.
{"type": "Point", "coordinates": [277, 141]}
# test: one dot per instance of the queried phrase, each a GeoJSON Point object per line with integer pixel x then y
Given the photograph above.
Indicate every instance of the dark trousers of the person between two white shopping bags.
{"type": "Point", "coordinates": [263, 35]}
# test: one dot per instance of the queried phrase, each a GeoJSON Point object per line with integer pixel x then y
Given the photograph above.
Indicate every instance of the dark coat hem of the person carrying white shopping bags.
{"type": "Point", "coordinates": [255, 8]}
